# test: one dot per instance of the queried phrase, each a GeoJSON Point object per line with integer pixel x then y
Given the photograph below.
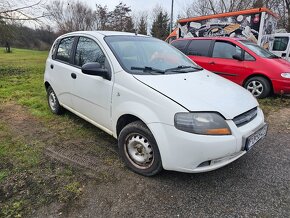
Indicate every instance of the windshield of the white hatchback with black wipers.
{"type": "Point", "coordinates": [146, 55]}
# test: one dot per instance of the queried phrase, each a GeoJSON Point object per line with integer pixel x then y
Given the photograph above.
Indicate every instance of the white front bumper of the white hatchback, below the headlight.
{"type": "Point", "coordinates": [192, 153]}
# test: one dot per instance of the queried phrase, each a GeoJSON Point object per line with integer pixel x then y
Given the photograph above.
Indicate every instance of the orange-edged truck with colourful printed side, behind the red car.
{"type": "Point", "coordinates": [257, 25]}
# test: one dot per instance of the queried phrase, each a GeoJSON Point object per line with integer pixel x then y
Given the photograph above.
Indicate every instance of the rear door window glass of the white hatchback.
{"type": "Point", "coordinates": [64, 49]}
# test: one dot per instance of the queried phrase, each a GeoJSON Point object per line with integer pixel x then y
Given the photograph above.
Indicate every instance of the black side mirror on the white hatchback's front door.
{"type": "Point", "coordinates": [95, 69]}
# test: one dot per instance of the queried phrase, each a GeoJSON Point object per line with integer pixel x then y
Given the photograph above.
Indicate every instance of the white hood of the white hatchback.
{"type": "Point", "coordinates": [202, 91]}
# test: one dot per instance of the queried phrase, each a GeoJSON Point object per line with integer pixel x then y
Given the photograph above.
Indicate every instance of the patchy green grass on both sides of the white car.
{"type": "Point", "coordinates": [25, 174]}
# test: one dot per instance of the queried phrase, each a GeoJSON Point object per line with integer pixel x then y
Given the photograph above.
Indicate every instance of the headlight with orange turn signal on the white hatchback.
{"type": "Point", "coordinates": [201, 123]}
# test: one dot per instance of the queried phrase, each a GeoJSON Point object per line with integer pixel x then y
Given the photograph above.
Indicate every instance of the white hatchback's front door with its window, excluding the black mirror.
{"type": "Point", "coordinates": [92, 94]}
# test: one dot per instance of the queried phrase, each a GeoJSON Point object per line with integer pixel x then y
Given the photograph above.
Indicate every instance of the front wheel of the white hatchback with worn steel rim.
{"type": "Point", "coordinates": [139, 150]}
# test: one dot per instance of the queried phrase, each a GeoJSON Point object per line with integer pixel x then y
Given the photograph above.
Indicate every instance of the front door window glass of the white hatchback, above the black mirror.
{"type": "Point", "coordinates": [88, 51]}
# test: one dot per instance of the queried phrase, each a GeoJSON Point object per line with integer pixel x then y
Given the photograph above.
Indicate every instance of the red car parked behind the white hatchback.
{"type": "Point", "coordinates": [240, 61]}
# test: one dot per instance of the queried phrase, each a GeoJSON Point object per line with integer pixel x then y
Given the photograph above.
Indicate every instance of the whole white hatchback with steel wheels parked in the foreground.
{"type": "Point", "coordinates": [166, 111]}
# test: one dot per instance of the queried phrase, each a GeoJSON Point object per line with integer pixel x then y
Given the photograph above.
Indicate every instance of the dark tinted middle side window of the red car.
{"type": "Point", "coordinates": [199, 47]}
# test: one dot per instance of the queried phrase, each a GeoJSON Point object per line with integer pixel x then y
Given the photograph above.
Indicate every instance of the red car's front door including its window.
{"type": "Point", "coordinates": [222, 62]}
